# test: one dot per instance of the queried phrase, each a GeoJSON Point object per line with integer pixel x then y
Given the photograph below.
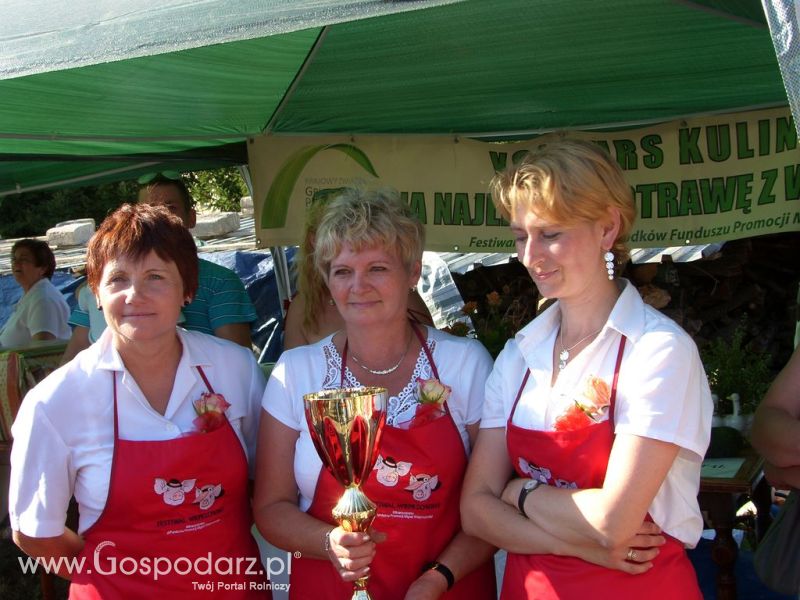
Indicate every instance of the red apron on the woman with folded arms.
{"type": "Point", "coordinates": [580, 457]}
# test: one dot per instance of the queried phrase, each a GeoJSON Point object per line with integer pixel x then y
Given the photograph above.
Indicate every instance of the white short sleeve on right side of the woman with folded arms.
{"type": "Point", "coordinates": [664, 394]}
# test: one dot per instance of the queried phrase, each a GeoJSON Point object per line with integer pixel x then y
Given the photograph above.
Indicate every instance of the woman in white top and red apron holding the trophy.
{"type": "Point", "coordinates": [369, 250]}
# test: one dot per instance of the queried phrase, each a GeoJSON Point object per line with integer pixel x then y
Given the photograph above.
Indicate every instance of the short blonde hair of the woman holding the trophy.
{"type": "Point", "coordinates": [366, 219]}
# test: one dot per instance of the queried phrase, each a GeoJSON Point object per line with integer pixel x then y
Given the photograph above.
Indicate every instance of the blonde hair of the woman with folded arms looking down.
{"type": "Point", "coordinates": [567, 182]}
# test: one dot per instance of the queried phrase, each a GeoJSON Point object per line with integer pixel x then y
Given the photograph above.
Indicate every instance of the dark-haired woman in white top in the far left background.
{"type": "Point", "coordinates": [42, 312]}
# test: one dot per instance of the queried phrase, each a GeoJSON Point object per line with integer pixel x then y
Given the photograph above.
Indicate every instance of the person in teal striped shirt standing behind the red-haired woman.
{"type": "Point", "coordinates": [221, 306]}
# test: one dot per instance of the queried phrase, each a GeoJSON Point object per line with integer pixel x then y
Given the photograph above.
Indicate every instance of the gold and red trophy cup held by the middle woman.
{"type": "Point", "coordinates": [346, 425]}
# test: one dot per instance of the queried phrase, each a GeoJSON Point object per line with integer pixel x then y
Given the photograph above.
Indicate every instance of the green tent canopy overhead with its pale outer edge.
{"type": "Point", "coordinates": [500, 69]}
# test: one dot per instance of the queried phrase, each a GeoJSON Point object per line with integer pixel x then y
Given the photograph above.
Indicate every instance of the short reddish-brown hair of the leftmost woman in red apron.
{"type": "Point", "coordinates": [135, 230]}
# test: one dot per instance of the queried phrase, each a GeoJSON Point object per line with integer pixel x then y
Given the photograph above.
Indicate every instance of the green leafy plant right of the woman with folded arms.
{"type": "Point", "coordinates": [732, 366]}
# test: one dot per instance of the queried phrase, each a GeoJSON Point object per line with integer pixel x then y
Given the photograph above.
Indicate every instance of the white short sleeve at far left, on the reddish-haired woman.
{"type": "Point", "coordinates": [42, 476]}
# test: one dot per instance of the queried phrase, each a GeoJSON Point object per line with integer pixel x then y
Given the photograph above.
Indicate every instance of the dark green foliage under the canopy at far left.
{"type": "Point", "coordinates": [33, 213]}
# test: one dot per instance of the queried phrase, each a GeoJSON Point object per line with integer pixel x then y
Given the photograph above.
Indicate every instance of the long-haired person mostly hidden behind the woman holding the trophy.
{"type": "Point", "coordinates": [312, 314]}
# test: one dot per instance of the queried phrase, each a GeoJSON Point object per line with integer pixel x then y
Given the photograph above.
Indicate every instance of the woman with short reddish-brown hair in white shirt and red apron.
{"type": "Point", "coordinates": [152, 429]}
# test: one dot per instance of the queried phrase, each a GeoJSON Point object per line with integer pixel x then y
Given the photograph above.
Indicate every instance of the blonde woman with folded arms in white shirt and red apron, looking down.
{"type": "Point", "coordinates": [598, 413]}
